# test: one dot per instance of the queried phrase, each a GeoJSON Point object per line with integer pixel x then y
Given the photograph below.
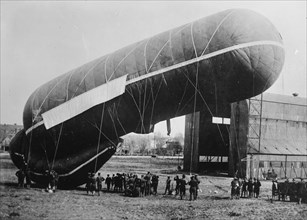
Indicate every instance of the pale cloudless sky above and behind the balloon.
{"type": "Point", "coordinates": [41, 40]}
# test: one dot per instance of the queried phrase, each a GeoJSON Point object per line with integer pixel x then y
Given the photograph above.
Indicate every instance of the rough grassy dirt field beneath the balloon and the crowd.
{"type": "Point", "coordinates": [213, 203]}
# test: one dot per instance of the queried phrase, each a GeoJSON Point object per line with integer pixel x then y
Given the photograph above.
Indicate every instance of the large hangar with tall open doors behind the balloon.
{"type": "Point", "coordinates": [262, 137]}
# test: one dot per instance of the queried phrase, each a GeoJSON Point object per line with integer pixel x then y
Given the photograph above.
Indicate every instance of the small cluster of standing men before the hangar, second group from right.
{"type": "Point", "coordinates": [248, 189]}
